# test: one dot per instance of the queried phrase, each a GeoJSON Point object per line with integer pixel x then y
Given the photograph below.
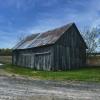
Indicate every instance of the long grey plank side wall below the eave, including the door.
{"type": "Point", "coordinates": [37, 58]}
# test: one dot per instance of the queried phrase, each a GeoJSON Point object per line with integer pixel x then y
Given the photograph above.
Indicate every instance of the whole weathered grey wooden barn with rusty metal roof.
{"type": "Point", "coordinates": [59, 49]}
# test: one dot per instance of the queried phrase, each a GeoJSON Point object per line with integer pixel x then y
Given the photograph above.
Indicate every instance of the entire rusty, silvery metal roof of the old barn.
{"type": "Point", "coordinates": [46, 38]}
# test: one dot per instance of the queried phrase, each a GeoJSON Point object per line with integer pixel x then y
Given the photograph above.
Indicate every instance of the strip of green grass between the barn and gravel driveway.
{"type": "Point", "coordinates": [86, 74]}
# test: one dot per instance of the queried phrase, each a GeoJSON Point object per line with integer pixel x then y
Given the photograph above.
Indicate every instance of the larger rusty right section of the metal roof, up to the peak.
{"type": "Point", "coordinates": [49, 37]}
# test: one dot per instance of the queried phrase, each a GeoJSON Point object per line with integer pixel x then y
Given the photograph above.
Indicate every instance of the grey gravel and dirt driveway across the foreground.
{"type": "Point", "coordinates": [12, 88]}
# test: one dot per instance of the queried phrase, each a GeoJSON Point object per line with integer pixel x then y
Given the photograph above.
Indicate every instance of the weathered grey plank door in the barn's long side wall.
{"type": "Point", "coordinates": [42, 61]}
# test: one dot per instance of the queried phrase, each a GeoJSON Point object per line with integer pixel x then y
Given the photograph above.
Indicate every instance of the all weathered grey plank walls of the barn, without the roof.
{"type": "Point", "coordinates": [69, 52]}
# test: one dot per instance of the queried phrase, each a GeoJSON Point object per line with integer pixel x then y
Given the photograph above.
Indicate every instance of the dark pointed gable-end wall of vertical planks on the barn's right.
{"type": "Point", "coordinates": [70, 51]}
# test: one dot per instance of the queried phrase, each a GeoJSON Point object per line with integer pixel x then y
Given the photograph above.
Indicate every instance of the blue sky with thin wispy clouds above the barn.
{"type": "Point", "coordinates": [19, 18]}
